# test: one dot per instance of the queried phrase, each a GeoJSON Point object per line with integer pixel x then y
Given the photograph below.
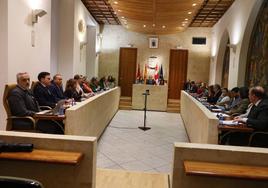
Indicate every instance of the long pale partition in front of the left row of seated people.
{"type": "Point", "coordinates": [90, 117]}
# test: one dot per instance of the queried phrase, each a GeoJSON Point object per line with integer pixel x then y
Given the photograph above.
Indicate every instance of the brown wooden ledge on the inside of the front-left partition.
{"type": "Point", "coordinates": [48, 156]}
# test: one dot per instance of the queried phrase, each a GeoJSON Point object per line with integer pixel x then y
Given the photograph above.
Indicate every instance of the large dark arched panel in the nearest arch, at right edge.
{"type": "Point", "coordinates": [257, 61]}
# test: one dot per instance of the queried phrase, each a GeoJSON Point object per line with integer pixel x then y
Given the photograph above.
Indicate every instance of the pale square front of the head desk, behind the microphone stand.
{"type": "Point", "coordinates": [157, 100]}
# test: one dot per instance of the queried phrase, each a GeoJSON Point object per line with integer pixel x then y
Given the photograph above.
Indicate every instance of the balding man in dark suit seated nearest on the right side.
{"type": "Point", "coordinates": [257, 119]}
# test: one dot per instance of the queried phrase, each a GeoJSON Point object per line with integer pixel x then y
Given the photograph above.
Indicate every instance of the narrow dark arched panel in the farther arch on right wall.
{"type": "Point", "coordinates": [225, 67]}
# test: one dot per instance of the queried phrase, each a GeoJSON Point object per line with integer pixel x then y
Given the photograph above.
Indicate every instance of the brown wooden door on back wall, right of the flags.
{"type": "Point", "coordinates": [177, 72]}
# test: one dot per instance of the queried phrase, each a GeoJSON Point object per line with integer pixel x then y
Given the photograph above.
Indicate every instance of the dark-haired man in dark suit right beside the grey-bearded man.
{"type": "Point", "coordinates": [41, 91]}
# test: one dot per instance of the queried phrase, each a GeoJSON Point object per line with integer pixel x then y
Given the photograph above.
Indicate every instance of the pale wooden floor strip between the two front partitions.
{"type": "Point", "coordinates": [107, 178]}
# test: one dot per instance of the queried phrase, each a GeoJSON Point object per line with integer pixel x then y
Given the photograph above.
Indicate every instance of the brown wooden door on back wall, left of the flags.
{"type": "Point", "coordinates": [127, 70]}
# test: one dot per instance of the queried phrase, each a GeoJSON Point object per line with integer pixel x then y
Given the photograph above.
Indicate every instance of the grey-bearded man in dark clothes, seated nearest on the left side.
{"type": "Point", "coordinates": [23, 103]}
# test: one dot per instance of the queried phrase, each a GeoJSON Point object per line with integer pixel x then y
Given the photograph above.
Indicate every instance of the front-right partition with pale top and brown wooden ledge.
{"type": "Point", "coordinates": [243, 158]}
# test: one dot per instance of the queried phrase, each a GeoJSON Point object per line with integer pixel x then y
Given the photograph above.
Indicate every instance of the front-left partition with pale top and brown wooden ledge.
{"type": "Point", "coordinates": [56, 160]}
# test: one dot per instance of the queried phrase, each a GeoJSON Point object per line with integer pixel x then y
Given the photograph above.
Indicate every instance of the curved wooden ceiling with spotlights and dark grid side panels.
{"type": "Point", "coordinates": [158, 16]}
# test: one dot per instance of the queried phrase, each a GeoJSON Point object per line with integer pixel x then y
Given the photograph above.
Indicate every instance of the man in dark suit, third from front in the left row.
{"type": "Point", "coordinates": [56, 87]}
